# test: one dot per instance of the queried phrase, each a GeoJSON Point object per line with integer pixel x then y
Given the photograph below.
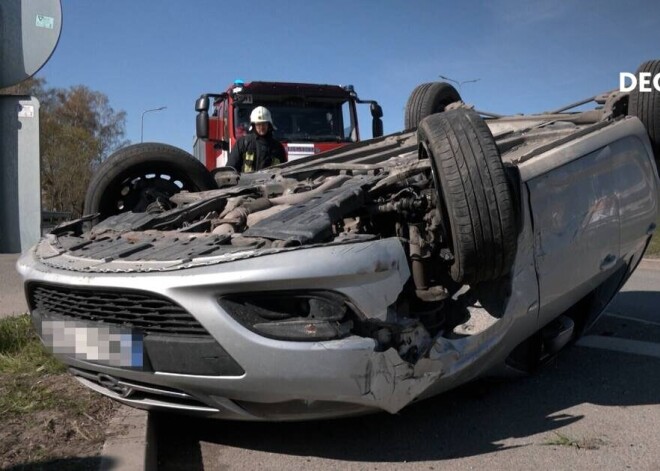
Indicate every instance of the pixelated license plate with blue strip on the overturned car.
{"type": "Point", "coordinates": [98, 343]}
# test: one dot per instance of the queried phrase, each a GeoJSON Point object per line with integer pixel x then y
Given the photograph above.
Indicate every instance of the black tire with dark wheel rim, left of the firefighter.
{"type": "Point", "coordinates": [137, 175]}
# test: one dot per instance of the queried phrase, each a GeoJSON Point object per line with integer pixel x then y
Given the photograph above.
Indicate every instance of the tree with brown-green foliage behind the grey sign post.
{"type": "Point", "coordinates": [78, 130]}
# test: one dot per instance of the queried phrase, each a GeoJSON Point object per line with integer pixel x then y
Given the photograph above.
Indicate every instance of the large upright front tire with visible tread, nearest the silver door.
{"type": "Point", "coordinates": [476, 199]}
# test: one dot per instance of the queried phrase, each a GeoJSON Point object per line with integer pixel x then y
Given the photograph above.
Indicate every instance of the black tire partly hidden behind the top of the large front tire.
{"type": "Point", "coordinates": [427, 99]}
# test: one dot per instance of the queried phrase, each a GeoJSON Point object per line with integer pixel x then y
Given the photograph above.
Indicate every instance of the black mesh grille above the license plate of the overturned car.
{"type": "Point", "coordinates": [146, 312]}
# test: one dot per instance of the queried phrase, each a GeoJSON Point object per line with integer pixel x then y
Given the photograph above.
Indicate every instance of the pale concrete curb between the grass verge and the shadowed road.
{"type": "Point", "coordinates": [130, 444]}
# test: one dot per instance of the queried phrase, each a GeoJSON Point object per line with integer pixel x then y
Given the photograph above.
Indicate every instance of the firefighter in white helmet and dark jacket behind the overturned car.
{"type": "Point", "coordinates": [258, 149]}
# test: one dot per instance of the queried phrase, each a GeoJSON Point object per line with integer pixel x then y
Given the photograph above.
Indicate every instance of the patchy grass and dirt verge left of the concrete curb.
{"type": "Point", "coordinates": [47, 419]}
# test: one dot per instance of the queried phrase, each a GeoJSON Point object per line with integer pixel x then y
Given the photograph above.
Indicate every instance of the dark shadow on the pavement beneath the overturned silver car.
{"type": "Point", "coordinates": [465, 422]}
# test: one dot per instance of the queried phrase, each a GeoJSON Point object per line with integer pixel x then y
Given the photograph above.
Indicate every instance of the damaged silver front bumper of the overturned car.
{"type": "Point", "coordinates": [282, 380]}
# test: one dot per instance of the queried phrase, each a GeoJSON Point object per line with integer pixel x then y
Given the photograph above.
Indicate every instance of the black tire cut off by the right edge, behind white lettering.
{"type": "Point", "coordinates": [646, 107]}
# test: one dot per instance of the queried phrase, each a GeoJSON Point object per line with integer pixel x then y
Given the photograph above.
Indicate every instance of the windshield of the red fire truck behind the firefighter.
{"type": "Point", "coordinates": [300, 120]}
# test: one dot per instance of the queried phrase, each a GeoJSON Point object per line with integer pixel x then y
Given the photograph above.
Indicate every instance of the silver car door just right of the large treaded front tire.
{"type": "Point", "coordinates": [576, 223]}
